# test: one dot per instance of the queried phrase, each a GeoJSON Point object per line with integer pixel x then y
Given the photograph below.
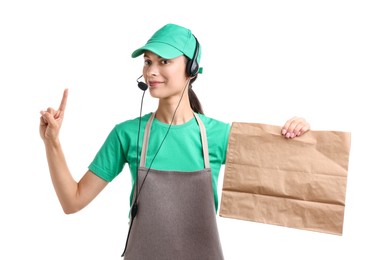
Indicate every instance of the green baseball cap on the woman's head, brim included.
{"type": "Point", "coordinates": [169, 42]}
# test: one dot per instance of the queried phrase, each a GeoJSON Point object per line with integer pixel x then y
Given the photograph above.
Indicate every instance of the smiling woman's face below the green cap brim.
{"type": "Point", "coordinates": [165, 77]}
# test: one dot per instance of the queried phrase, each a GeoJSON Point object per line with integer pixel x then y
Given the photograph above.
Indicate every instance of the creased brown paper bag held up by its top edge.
{"type": "Point", "coordinates": [298, 183]}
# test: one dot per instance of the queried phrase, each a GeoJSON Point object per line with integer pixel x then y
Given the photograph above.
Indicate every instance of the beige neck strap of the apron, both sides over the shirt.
{"type": "Point", "coordinates": [148, 131]}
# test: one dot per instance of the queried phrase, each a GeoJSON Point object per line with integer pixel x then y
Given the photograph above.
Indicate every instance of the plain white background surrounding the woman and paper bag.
{"type": "Point", "coordinates": [264, 61]}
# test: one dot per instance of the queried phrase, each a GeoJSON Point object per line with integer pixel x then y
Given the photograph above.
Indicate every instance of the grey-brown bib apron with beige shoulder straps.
{"type": "Point", "coordinates": [176, 217]}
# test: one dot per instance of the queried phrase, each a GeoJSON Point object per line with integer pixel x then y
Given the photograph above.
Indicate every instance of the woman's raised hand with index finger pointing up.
{"type": "Point", "coordinates": [51, 121]}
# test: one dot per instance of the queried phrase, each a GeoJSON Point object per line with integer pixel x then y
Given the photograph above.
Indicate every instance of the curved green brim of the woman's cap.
{"type": "Point", "coordinates": [163, 50]}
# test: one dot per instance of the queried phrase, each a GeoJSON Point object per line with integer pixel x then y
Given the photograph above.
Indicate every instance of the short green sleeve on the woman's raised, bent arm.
{"type": "Point", "coordinates": [110, 159]}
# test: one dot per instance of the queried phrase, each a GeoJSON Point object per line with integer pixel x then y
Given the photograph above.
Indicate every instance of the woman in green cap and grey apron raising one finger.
{"type": "Point", "coordinates": [174, 156]}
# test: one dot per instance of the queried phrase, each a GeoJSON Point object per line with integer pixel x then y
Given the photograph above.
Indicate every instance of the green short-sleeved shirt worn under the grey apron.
{"type": "Point", "coordinates": [181, 150]}
